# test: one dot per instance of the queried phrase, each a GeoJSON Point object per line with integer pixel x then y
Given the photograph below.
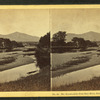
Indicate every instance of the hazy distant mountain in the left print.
{"type": "Point", "coordinates": [20, 37]}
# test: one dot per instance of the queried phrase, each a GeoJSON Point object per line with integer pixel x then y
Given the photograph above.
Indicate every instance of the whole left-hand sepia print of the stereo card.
{"type": "Point", "coordinates": [24, 54]}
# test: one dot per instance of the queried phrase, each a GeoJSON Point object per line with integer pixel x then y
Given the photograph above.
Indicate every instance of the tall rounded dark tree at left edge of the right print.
{"type": "Point", "coordinates": [59, 38]}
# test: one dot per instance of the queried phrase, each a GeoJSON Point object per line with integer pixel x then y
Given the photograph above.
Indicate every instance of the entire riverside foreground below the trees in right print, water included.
{"type": "Point", "coordinates": [64, 77]}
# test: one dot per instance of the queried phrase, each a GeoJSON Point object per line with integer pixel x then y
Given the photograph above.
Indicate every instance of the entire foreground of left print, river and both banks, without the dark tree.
{"type": "Point", "coordinates": [25, 78]}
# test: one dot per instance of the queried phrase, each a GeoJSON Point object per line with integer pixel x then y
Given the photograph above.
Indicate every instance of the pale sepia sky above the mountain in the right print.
{"type": "Point", "coordinates": [75, 20]}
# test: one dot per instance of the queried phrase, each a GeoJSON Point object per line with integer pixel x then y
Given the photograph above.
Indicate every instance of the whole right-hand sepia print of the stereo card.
{"type": "Point", "coordinates": [75, 49]}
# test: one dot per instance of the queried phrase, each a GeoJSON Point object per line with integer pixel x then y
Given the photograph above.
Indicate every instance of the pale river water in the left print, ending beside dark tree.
{"type": "Point", "coordinates": [18, 72]}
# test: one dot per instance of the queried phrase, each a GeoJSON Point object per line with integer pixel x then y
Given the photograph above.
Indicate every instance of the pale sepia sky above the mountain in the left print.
{"type": "Point", "coordinates": [33, 22]}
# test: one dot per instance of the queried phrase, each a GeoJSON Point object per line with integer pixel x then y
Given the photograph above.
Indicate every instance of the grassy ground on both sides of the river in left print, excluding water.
{"type": "Point", "coordinates": [19, 57]}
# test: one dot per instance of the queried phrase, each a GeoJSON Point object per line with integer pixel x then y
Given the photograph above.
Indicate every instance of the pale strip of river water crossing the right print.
{"type": "Point", "coordinates": [76, 76]}
